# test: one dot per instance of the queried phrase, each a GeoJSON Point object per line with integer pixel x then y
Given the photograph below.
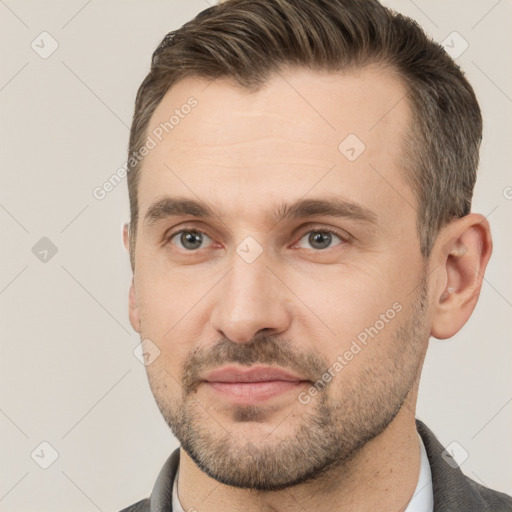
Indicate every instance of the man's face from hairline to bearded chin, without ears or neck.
{"type": "Point", "coordinates": [311, 292]}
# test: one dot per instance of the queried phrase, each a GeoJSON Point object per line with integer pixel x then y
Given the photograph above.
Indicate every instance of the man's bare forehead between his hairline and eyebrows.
{"type": "Point", "coordinates": [303, 130]}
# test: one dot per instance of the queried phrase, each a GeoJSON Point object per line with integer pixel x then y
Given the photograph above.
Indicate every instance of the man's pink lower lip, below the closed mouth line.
{"type": "Point", "coordinates": [249, 392]}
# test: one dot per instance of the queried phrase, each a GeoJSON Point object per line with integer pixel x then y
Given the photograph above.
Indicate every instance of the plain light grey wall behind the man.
{"type": "Point", "coordinates": [68, 373]}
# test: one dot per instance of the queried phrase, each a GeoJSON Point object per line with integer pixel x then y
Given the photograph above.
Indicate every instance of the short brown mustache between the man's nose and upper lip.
{"type": "Point", "coordinates": [268, 350]}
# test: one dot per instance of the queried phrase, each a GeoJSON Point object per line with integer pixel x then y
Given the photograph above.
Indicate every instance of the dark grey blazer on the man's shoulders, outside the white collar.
{"type": "Point", "coordinates": [453, 491]}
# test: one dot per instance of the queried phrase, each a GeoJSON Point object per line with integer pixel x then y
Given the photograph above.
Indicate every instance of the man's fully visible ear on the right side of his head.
{"type": "Point", "coordinates": [462, 251]}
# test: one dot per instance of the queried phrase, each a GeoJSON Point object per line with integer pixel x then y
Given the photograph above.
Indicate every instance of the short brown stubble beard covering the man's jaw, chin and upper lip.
{"type": "Point", "coordinates": [324, 435]}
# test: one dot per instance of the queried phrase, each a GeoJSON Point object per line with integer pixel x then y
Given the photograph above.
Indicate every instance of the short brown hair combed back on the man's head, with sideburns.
{"type": "Point", "coordinates": [247, 40]}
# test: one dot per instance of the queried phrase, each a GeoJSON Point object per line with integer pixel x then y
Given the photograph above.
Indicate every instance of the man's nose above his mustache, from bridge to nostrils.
{"type": "Point", "coordinates": [250, 301]}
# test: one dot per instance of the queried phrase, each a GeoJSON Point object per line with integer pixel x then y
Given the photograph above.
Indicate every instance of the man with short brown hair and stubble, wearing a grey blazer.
{"type": "Point", "coordinates": [300, 181]}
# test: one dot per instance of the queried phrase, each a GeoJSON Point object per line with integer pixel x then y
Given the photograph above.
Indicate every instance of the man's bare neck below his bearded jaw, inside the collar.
{"type": "Point", "coordinates": [381, 476]}
